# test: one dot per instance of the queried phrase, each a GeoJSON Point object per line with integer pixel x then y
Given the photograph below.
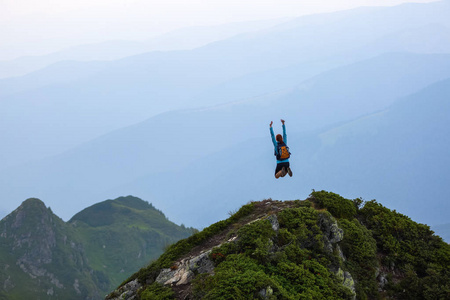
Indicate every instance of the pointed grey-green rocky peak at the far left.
{"type": "Point", "coordinates": [40, 243]}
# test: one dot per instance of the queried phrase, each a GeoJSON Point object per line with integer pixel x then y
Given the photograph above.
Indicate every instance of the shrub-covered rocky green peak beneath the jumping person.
{"type": "Point", "coordinates": [323, 247]}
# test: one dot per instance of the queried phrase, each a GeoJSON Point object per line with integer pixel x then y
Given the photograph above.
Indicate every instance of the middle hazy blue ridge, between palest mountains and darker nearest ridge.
{"type": "Point", "coordinates": [157, 149]}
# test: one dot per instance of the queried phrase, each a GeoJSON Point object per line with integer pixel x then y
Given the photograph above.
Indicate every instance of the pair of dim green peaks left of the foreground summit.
{"type": "Point", "coordinates": [43, 257]}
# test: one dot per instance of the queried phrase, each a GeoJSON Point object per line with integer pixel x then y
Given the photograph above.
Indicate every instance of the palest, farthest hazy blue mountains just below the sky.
{"type": "Point", "coordinates": [62, 113]}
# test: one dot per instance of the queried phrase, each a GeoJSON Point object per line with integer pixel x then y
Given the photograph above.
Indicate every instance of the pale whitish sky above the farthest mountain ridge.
{"type": "Point", "coordinates": [55, 24]}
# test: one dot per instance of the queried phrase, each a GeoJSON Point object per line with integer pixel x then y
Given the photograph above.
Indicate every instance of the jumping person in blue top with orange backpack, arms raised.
{"type": "Point", "coordinates": [281, 152]}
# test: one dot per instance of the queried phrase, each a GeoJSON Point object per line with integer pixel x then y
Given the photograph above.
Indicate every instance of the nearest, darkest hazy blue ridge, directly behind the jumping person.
{"type": "Point", "coordinates": [399, 154]}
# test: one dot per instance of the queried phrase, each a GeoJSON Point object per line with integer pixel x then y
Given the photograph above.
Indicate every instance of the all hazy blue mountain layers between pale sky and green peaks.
{"type": "Point", "coordinates": [364, 93]}
